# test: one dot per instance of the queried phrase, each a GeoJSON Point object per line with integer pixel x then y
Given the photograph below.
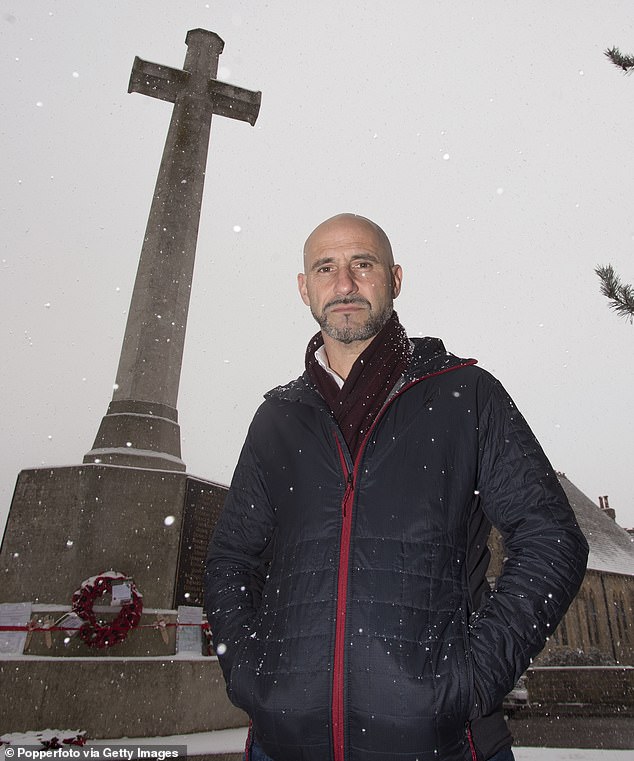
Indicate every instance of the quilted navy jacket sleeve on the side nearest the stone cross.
{"type": "Point", "coordinates": [234, 571]}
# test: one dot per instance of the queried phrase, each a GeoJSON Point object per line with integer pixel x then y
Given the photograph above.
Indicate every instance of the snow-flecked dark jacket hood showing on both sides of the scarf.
{"type": "Point", "coordinates": [429, 357]}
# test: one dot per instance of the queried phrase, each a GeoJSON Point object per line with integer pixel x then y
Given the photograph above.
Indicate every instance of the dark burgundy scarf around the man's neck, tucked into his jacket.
{"type": "Point", "coordinates": [372, 377]}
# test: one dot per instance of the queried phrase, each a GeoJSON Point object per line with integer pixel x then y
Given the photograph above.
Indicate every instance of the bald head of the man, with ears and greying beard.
{"type": "Point", "coordinates": [350, 281]}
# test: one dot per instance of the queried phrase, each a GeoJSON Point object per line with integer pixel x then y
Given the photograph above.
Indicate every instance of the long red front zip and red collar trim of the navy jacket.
{"type": "Point", "coordinates": [338, 713]}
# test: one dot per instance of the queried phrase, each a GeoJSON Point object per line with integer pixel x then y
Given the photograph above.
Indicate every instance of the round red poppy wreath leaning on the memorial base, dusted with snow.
{"type": "Point", "coordinates": [95, 634]}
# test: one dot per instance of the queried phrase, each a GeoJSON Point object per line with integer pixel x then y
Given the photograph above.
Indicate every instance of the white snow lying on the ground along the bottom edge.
{"type": "Point", "coordinates": [232, 741]}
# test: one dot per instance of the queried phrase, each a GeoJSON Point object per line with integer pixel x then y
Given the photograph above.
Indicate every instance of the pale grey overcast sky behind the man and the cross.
{"type": "Point", "coordinates": [492, 141]}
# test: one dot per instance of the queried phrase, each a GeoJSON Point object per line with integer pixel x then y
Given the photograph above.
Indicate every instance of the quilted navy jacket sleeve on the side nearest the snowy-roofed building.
{"type": "Point", "coordinates": [546, 551]}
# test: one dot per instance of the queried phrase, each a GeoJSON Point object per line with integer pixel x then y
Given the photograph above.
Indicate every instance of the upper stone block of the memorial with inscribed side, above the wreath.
{"type": "Point", "coordinates": [67, 524]}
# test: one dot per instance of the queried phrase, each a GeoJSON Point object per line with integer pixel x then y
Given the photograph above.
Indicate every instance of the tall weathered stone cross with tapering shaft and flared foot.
{"type": "Point", "coordinates": [140, 427]}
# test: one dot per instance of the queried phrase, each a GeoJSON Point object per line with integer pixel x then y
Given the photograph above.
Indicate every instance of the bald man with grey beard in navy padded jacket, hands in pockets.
{"type": "Point", "coordinates": [345, 585]}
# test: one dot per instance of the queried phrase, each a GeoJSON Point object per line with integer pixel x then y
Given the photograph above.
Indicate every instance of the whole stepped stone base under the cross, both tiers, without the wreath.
{"type": "Point", "coordinates": [69, 524]}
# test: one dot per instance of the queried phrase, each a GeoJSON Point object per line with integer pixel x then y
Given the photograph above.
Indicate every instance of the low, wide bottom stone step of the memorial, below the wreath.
{"type": "Point", "coordinates": [114, 697]}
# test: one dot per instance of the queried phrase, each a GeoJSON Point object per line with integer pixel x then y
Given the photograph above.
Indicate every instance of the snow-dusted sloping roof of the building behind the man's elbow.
{"type": "Point", "coordinates": [611, 547]}
